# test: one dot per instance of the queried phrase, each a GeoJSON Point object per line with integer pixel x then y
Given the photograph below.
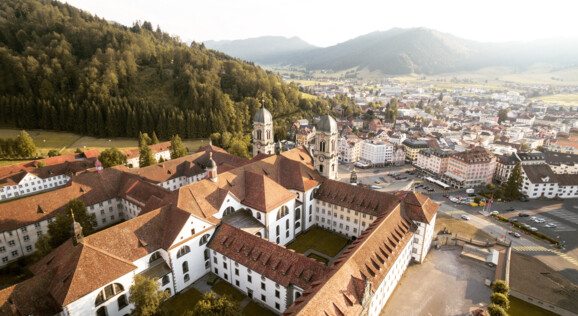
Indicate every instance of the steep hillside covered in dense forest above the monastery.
{"type": "Point", "coordinates": [66, 70]}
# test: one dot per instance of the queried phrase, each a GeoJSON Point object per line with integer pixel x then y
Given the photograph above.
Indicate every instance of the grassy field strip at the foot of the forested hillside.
{"type": "Point", "coordinates": [66, 143]}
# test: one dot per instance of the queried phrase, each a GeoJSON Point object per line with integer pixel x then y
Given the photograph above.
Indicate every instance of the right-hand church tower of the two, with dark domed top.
{"type": "Point", "coordinates": [325, 151]}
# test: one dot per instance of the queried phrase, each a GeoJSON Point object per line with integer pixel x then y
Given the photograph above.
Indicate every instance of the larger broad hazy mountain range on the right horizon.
{"type": "Point", "coordinates": [417, 50]}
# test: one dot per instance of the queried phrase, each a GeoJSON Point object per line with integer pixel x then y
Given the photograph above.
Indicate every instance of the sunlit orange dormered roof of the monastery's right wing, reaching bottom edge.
{"type": "Point", "coordinates": [368, 259]}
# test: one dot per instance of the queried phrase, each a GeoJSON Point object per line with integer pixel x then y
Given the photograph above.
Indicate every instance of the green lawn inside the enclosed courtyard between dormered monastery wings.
{"type": "Point", "coordinates": [319, 239]}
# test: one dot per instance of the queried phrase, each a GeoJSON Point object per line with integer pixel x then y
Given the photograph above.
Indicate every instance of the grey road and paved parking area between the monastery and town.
{"type": "Point", "coordinates": [562, 213]}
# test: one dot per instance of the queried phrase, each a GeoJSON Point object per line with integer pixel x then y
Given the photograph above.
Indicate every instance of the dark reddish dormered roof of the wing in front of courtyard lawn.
{"type": "Point", "coordinates": [266, 258]}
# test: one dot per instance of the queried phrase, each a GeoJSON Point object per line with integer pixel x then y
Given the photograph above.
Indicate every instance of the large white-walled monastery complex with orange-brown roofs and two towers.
{"type": "Point", "coordinates": [213, 212]}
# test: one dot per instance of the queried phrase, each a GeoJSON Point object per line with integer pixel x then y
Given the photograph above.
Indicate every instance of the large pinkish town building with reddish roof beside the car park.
{"type": "Point", "coordinates": [470, 168]}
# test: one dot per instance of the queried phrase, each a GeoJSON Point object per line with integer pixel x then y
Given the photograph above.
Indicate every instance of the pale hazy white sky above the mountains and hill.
{"type": "Point", "coordinates": [325, 23]}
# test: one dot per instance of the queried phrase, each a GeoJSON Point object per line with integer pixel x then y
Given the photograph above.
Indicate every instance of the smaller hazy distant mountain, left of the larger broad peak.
{"type": "Point", "coordinates": [263, 50]}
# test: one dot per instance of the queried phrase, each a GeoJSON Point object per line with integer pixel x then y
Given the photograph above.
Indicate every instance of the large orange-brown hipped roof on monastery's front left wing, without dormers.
{"type": "Point", "coordinates": [107, 255]}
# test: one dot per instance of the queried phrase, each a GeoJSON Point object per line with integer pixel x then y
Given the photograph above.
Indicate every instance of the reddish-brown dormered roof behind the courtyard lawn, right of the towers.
{"type": "Point", "coordinates": [357, 198]}
